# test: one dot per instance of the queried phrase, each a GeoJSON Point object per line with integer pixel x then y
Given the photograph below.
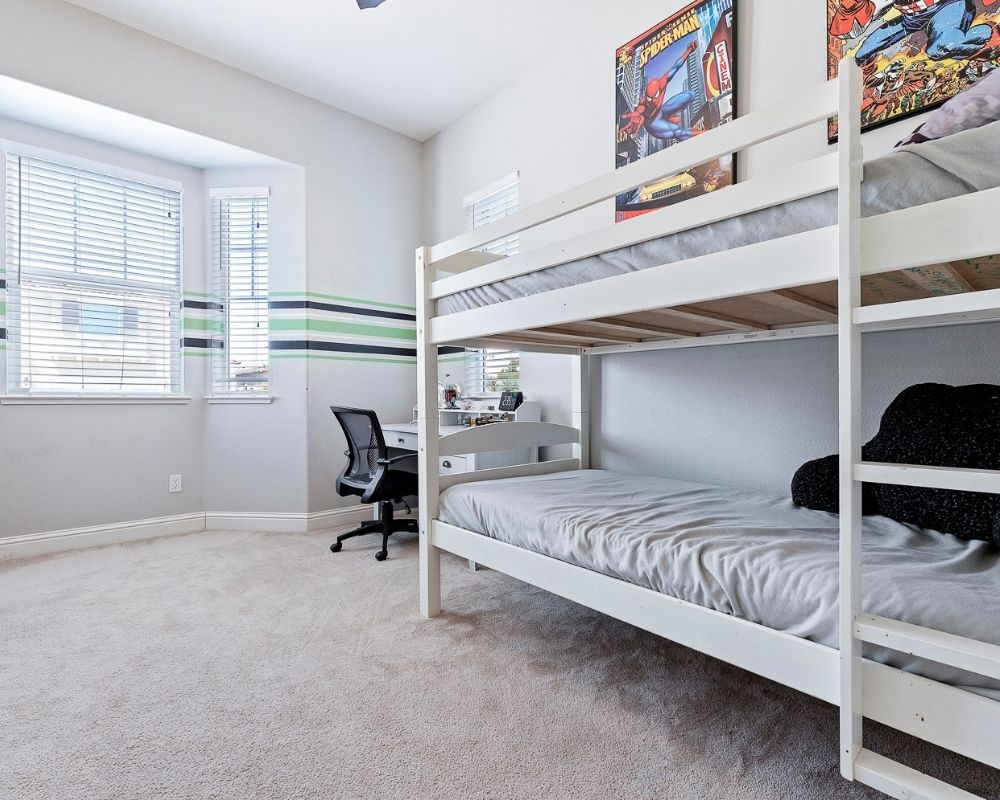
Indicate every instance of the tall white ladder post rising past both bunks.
{"type": "Point", "coordinates": [849, 356]}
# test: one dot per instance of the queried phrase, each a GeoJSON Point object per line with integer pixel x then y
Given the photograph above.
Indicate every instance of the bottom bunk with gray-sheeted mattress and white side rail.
{"type": "Point", "coordinates": [746, 577]}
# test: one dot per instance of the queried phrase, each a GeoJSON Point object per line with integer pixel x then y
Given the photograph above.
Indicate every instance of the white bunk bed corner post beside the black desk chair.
{"type": "Point", "coordinates": [428, 434]}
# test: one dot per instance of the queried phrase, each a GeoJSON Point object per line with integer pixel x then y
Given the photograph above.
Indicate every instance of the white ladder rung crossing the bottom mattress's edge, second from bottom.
{"type": "Point", "coordinates": [981, 658]}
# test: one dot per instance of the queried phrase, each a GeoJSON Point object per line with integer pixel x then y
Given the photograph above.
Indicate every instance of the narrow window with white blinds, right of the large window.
{"type": "Point", "coordinates": [239, 237]}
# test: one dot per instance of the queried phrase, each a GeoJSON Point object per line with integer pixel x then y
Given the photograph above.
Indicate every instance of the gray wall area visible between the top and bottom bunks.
{"type": "Point", "coordinates": [751, 414]}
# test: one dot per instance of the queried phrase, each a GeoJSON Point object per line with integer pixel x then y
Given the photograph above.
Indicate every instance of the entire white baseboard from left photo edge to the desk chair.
{"type": "Point", "coordinates": [38, 544]}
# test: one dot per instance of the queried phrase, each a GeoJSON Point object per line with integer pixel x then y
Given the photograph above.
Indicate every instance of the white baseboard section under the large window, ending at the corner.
{"type": "Point", "coordinates": [37, 544]}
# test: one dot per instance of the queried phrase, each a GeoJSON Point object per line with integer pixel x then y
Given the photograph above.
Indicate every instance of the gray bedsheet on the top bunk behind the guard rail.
{"type": "Point", "coordinates": [908, 176]}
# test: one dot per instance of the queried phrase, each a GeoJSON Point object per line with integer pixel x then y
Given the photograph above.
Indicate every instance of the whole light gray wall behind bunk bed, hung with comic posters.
{"type": "Point", "coordinates": [740, 415]}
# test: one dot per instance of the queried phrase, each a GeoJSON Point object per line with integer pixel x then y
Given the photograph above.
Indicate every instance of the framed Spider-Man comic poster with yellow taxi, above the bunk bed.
{"type": "Point", "coordinates": [674, 82]}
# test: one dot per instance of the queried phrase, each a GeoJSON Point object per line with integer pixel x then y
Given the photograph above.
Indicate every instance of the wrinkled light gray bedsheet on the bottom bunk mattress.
{"type": "Point", "coordinates": [750, 554]}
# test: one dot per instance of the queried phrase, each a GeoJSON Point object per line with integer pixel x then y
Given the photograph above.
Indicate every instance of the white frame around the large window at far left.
{"type": "Point", "coordinates": [14, 395]}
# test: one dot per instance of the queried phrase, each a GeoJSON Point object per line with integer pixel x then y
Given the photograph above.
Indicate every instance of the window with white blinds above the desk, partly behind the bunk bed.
{"type": "Point", "coordinates": [492, 371]}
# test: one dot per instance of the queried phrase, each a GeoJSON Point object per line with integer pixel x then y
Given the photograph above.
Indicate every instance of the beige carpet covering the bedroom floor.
{"type": "Point", "coordinates": [239, 665]}
